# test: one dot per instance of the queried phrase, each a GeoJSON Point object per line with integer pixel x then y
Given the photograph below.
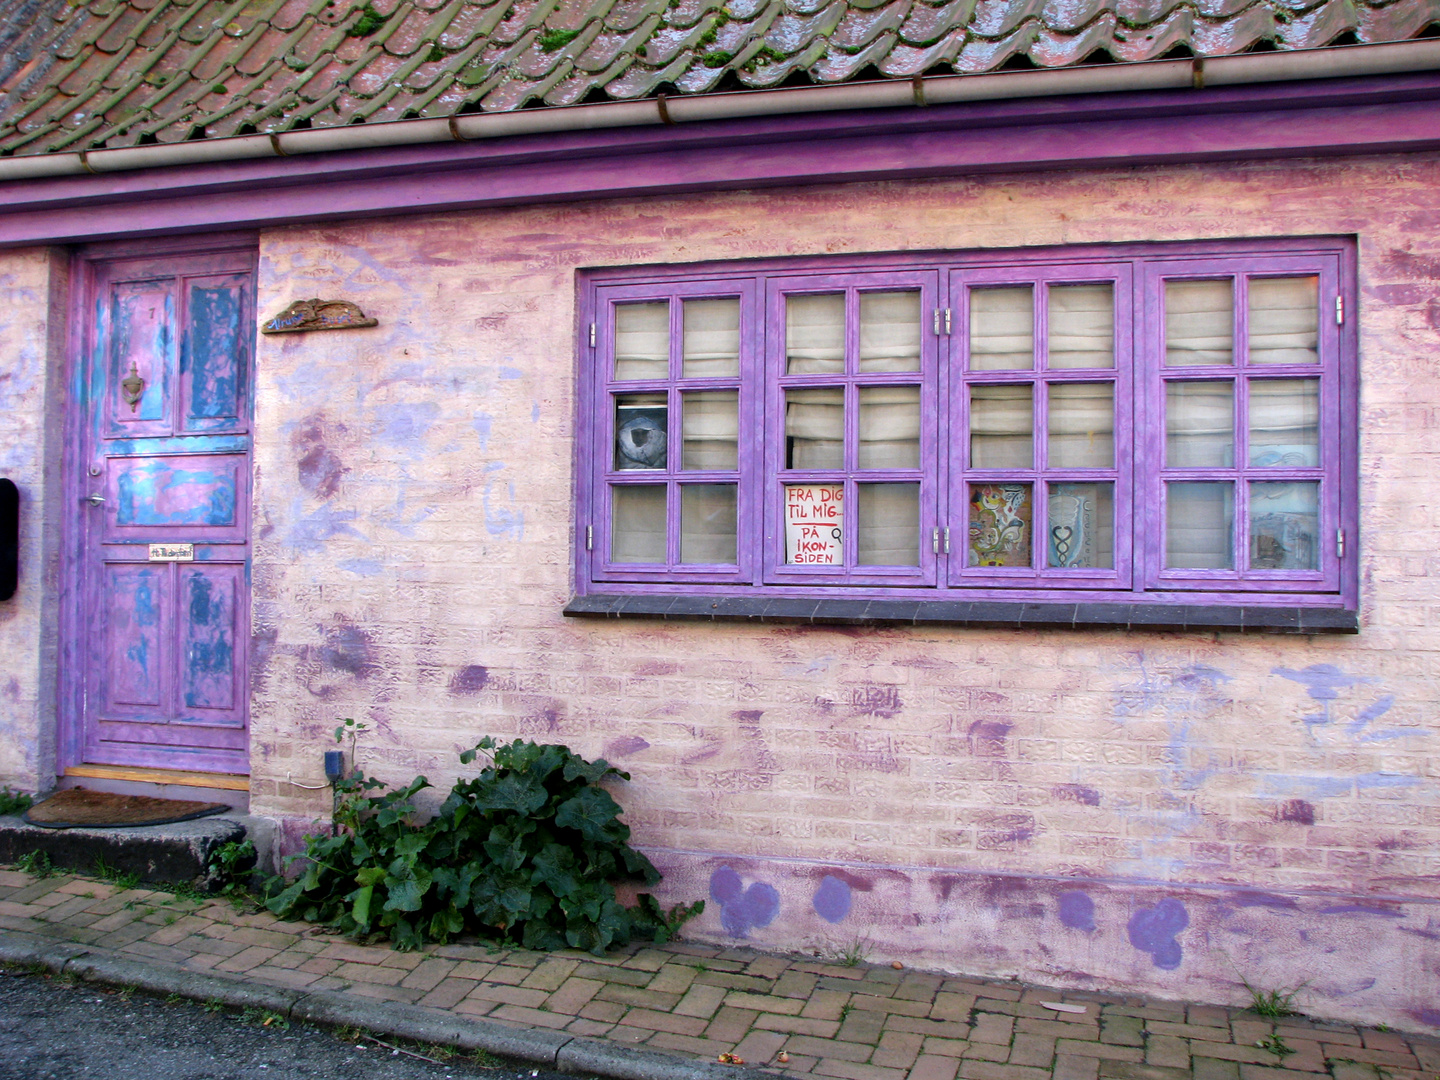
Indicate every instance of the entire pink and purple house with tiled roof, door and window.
{"type": "Point", "coordinates": [967, 463]}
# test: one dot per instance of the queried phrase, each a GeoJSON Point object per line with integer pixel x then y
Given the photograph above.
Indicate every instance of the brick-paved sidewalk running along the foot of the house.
{"type": "Point", "coordinates": [787, 1014]}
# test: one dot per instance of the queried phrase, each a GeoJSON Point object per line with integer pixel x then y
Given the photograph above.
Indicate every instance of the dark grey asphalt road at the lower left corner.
{"type": "Point", "coordinates": [57, 1030]}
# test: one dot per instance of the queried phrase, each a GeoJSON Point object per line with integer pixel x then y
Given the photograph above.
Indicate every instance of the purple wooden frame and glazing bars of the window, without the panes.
{"type": "Point", "coordinates": [1138, 271]}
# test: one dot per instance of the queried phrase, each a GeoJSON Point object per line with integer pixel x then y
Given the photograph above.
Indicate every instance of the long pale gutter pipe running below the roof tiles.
{"type": "Point", "coordinates": [1153, 76]}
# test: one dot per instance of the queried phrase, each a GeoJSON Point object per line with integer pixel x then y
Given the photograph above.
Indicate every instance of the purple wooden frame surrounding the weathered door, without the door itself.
{"type": "Point", "coordinates": [80, 345]}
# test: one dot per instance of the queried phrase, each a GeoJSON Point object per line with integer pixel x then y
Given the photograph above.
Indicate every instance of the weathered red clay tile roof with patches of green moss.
{"type": "Point", "coordinates": [96, 76]}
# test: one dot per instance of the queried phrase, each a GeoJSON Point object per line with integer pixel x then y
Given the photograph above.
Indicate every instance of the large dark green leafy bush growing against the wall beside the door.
{"type": "Point", "coordinates": [529, 853]}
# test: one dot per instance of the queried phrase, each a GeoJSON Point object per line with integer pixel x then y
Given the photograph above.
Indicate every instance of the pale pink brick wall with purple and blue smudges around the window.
{"type": "Point", "coordinates": [1128, 809]}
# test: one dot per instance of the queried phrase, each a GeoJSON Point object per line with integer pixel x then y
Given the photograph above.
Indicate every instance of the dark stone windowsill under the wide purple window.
{"type": "Point", "coordinates": [980, 614]}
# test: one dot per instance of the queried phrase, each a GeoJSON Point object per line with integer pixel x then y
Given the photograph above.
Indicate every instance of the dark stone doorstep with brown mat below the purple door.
{"type": "Point", "coordinates": [174, 855]}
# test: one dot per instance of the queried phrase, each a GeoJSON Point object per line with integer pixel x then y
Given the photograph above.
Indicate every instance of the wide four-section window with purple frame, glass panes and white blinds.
{"type": "Point", "coordinates": [1157, 426]}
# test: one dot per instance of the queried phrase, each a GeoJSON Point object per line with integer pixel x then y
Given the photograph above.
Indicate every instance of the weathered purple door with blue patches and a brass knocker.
{"type": "Point", "coordinates": [161, 636]}
